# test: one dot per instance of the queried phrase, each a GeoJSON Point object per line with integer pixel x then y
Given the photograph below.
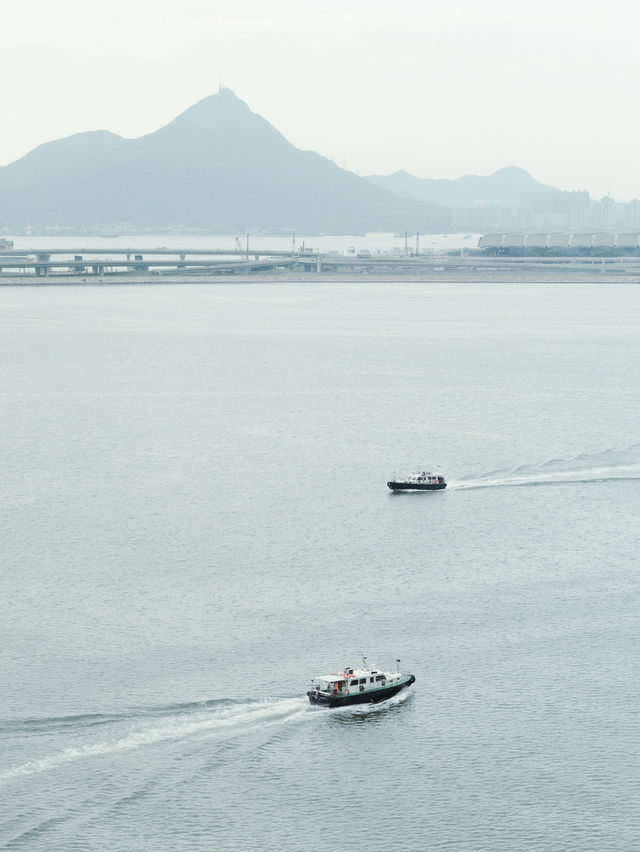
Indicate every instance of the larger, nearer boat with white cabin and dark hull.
{"type": "Point", "coordinates": [357, 686]}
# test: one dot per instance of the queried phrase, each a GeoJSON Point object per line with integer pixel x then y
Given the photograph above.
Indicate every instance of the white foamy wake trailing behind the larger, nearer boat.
{"type": "Point", "coordinates": [147, 727]}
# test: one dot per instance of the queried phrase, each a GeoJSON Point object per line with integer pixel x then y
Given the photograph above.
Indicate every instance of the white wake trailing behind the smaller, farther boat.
{"type": "Point", "coordinates": [610, 465]}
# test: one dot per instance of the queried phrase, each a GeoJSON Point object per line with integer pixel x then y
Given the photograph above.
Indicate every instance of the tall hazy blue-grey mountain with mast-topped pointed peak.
{"type": "Point", "coordinates": [217, 166]}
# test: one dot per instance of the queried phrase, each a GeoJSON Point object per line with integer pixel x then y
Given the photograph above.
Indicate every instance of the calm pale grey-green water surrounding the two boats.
{"type": "Point", "coordinates": [195, 521]}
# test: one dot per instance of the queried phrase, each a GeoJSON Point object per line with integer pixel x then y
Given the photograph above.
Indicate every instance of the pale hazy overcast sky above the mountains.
{"type": "Point", "coordinates": [440, 90]}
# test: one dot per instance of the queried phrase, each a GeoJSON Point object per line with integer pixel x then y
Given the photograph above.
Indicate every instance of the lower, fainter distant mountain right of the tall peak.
{"type": "Point", "coordinates": [502, 187]}
